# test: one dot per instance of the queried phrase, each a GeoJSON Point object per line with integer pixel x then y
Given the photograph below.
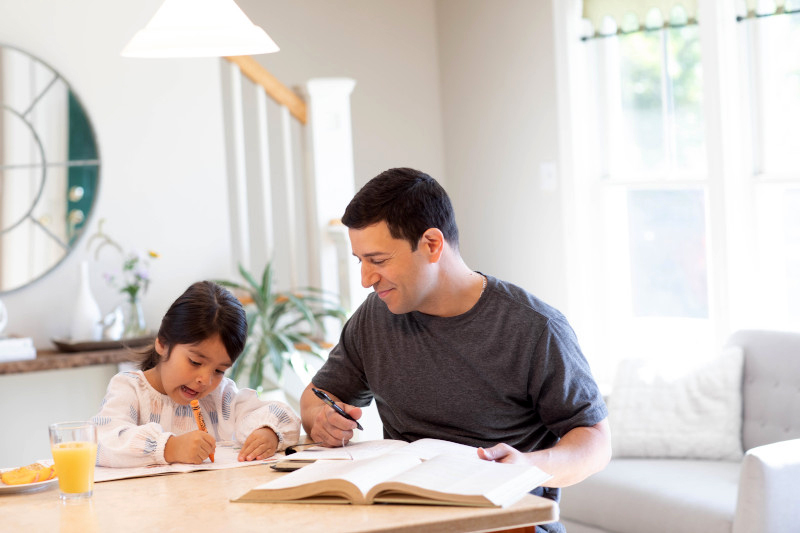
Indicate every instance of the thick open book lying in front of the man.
{"type": "Point", "coordinates": [428, 471]}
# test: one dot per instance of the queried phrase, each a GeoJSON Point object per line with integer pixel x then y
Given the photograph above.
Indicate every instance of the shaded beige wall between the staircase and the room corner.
{"type": "Point", "coordinates": [389, 47]}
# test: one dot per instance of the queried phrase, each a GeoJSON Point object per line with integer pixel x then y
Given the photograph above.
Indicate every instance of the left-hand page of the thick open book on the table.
{"type": "Point", "coordinates": [364, 473]}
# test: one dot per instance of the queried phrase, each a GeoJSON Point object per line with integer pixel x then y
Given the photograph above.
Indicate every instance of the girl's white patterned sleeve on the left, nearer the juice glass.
{"type": "Point", "coordinates": [121, 441]}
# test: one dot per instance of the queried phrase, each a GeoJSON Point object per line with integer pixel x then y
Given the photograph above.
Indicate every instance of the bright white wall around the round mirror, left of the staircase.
{"type": "Point", "coordinates": [158, 125]}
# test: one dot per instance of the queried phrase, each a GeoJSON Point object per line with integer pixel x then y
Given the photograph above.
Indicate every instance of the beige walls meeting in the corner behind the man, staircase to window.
{"type": "Point", "coordinates": [462, 89]}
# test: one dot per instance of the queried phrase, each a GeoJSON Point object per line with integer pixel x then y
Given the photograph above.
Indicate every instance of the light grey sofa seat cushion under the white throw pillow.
{"type": "Point", "coordinates": [656, 496]}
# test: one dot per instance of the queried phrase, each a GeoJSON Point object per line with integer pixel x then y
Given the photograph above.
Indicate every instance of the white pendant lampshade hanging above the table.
{"type": "Point", "coordinates": [199, 28]}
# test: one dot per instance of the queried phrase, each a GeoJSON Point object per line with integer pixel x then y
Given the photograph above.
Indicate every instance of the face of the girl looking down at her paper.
{"type": "Point", "coordinates": [191, 371]}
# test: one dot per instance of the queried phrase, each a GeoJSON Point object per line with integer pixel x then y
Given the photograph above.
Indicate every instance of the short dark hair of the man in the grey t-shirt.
{"type": "Point", "coordinates": [409, 201]}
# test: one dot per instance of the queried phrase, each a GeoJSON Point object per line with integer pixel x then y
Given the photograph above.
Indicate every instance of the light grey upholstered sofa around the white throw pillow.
{"type": "Point", "coordinates": [759, 494]}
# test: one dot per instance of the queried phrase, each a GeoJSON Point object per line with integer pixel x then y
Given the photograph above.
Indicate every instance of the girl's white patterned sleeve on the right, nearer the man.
{"type": "Point", "coordinates": [249, 413]}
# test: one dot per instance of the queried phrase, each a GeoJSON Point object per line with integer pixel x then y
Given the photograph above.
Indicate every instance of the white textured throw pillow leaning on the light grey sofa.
{"type": "Point", "coordinates": [663, 410]}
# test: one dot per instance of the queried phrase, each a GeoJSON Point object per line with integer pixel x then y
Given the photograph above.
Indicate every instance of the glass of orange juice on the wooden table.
{"type": "Point", "coordinates": [74, 448]}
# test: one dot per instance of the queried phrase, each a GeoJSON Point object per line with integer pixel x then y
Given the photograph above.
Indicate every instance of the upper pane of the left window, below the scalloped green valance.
{"type": "Point", "coordinates": [653, 87]}
